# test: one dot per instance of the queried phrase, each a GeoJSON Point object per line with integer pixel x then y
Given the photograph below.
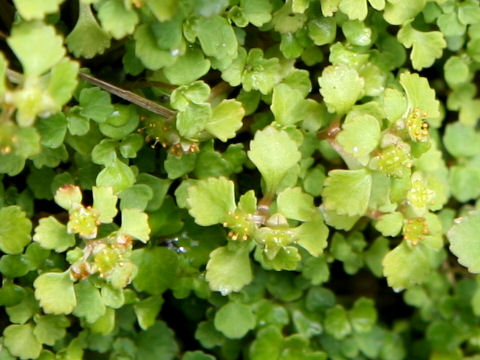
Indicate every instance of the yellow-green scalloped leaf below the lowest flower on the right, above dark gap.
{"type": "Point", "coordinates": [404, 266]}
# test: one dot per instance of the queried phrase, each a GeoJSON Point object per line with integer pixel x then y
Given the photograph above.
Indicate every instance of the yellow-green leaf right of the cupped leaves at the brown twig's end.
{"type": "Point", "coordinates": [226, 119]}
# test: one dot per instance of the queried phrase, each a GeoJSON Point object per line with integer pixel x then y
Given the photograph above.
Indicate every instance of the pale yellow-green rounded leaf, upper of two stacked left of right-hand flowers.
{"type": "Point", "coordinates": [341, 87]}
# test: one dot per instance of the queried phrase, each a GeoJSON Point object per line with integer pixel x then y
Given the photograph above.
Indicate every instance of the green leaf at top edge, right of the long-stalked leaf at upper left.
{"type": "Point", "coordinates": [117, 19]}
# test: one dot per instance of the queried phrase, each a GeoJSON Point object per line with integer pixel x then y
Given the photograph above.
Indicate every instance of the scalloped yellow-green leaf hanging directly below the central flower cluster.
{"type": "Point", "coordinates": [228, 270]}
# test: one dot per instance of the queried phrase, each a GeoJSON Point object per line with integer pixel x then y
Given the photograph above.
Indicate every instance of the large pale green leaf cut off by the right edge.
{"type": "Point", "coordinates": [464, 237]}
